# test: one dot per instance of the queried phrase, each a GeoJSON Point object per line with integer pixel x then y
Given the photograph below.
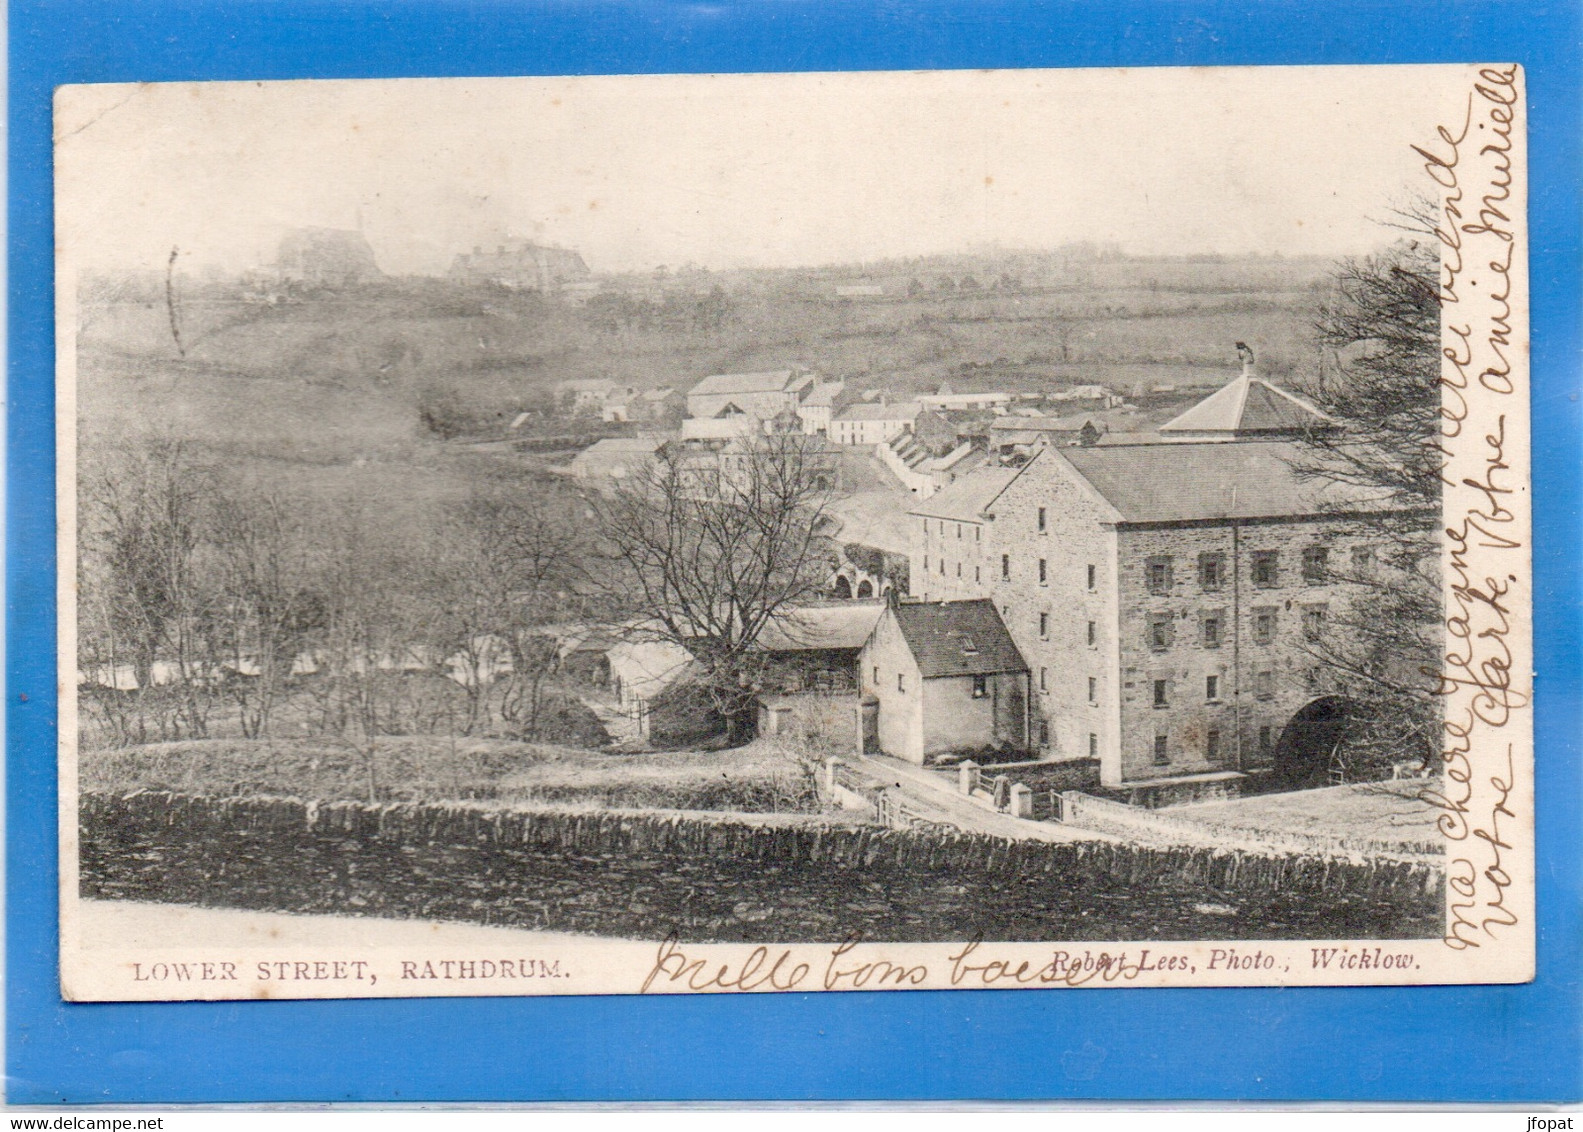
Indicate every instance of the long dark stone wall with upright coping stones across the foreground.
{"type": "Point", "coordinates": [642, 876]}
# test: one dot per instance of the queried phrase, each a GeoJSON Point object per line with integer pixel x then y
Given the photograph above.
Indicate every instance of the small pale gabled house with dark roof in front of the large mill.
{"type": "Point", "coordinates": [946, 677]}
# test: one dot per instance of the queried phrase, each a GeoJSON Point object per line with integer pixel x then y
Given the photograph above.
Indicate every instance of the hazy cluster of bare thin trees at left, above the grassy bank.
{"type": "Point", "coordinates": [213, 606]}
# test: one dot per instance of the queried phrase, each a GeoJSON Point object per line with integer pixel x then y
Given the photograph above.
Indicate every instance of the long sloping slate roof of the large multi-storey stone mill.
{"type": "Point", "coordinates": [1204, 481]}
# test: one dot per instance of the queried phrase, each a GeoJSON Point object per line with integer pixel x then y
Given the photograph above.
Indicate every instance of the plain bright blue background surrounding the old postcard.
{"type": "Point", "coordinates": [1452, 1044]}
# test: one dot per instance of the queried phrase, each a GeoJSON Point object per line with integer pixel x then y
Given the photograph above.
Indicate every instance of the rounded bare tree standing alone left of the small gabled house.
{"type": "Point", "coordinates": [708, 549]}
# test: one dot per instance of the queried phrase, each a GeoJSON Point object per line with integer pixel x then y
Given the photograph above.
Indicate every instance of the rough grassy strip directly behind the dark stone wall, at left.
{"type": "Point", "coordinates": [757, 778]}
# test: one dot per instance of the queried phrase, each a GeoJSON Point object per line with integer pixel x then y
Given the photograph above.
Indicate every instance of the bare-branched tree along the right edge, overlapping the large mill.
{"type": "Point", "coordinates": [1381, 329]}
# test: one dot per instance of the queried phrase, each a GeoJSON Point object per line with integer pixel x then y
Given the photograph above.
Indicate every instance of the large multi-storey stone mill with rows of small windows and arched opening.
{"type": "Point", "coordinates": [1166, 598]}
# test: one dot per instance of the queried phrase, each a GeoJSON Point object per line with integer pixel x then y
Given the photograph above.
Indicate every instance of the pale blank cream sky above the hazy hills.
{"type": "Point", "coordinates": [731, 172]}
